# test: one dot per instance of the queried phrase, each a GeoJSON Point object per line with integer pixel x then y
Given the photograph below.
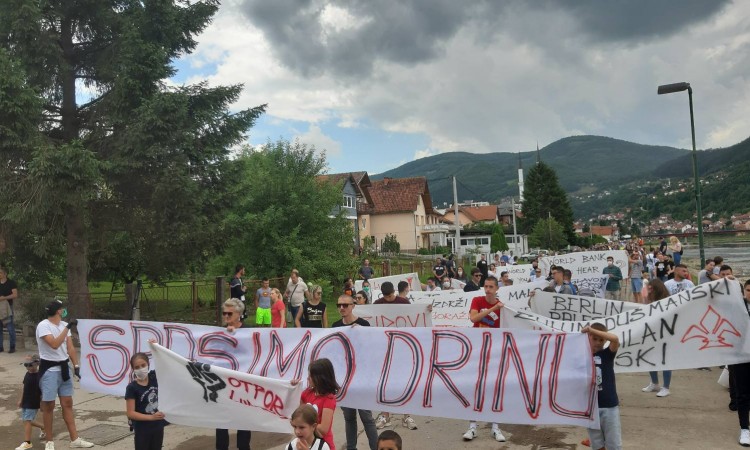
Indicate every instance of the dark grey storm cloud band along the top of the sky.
{"type": "Point", "coordinates": [410, 32]}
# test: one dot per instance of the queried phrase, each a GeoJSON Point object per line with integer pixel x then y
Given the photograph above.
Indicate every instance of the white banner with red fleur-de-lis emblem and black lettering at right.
{"type": "Point", "coordinates": [703, 327]}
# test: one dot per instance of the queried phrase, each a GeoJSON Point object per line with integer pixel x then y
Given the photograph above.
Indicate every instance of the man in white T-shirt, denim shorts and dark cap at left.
{"type": "Point", "coordinates": [56, 351]}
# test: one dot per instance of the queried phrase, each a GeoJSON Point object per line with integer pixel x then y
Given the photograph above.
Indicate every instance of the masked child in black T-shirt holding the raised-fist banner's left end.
{"type": "Point", "coordinates": [142, 405]}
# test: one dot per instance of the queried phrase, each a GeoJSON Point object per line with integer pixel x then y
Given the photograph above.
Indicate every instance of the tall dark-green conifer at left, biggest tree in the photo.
{"type": "Point", "coordinates": [97, 149]}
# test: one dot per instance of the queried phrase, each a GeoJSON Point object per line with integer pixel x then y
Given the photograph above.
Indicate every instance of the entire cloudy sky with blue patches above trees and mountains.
{"type": "Point", "coordinates": [380, 83]}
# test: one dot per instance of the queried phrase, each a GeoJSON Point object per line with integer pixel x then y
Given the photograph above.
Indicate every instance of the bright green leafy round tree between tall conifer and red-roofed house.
{"type": "Point", "coordinates": [282, 216]}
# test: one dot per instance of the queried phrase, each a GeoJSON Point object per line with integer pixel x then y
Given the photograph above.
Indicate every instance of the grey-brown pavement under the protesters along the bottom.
{"type": "Point", "coordinates": [695, 416]}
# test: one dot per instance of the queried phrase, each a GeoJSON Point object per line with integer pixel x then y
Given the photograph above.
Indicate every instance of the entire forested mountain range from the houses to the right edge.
{"type": "Point", "coordinates": [601, 175]}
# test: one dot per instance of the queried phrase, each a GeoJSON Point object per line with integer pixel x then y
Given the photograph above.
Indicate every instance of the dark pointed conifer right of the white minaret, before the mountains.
{"type": "Point", "coordinates": [544, 198]}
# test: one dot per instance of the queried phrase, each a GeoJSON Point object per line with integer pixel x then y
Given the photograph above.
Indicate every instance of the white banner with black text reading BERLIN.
{"type": "Point", "coordinates": [573, 308]}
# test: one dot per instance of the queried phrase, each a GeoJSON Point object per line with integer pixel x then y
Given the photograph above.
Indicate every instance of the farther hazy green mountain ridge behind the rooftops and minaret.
{"type": "Point", "coordinates": [583, 164]}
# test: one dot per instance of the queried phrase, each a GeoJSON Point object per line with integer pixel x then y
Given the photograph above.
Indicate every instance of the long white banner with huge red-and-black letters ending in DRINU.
{"type": "Point", "coordinates": [493, 375]}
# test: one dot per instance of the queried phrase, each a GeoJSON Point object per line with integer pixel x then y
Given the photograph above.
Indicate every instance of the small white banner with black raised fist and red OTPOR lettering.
{"type": "Point", "coordinates": [200, 395]}
